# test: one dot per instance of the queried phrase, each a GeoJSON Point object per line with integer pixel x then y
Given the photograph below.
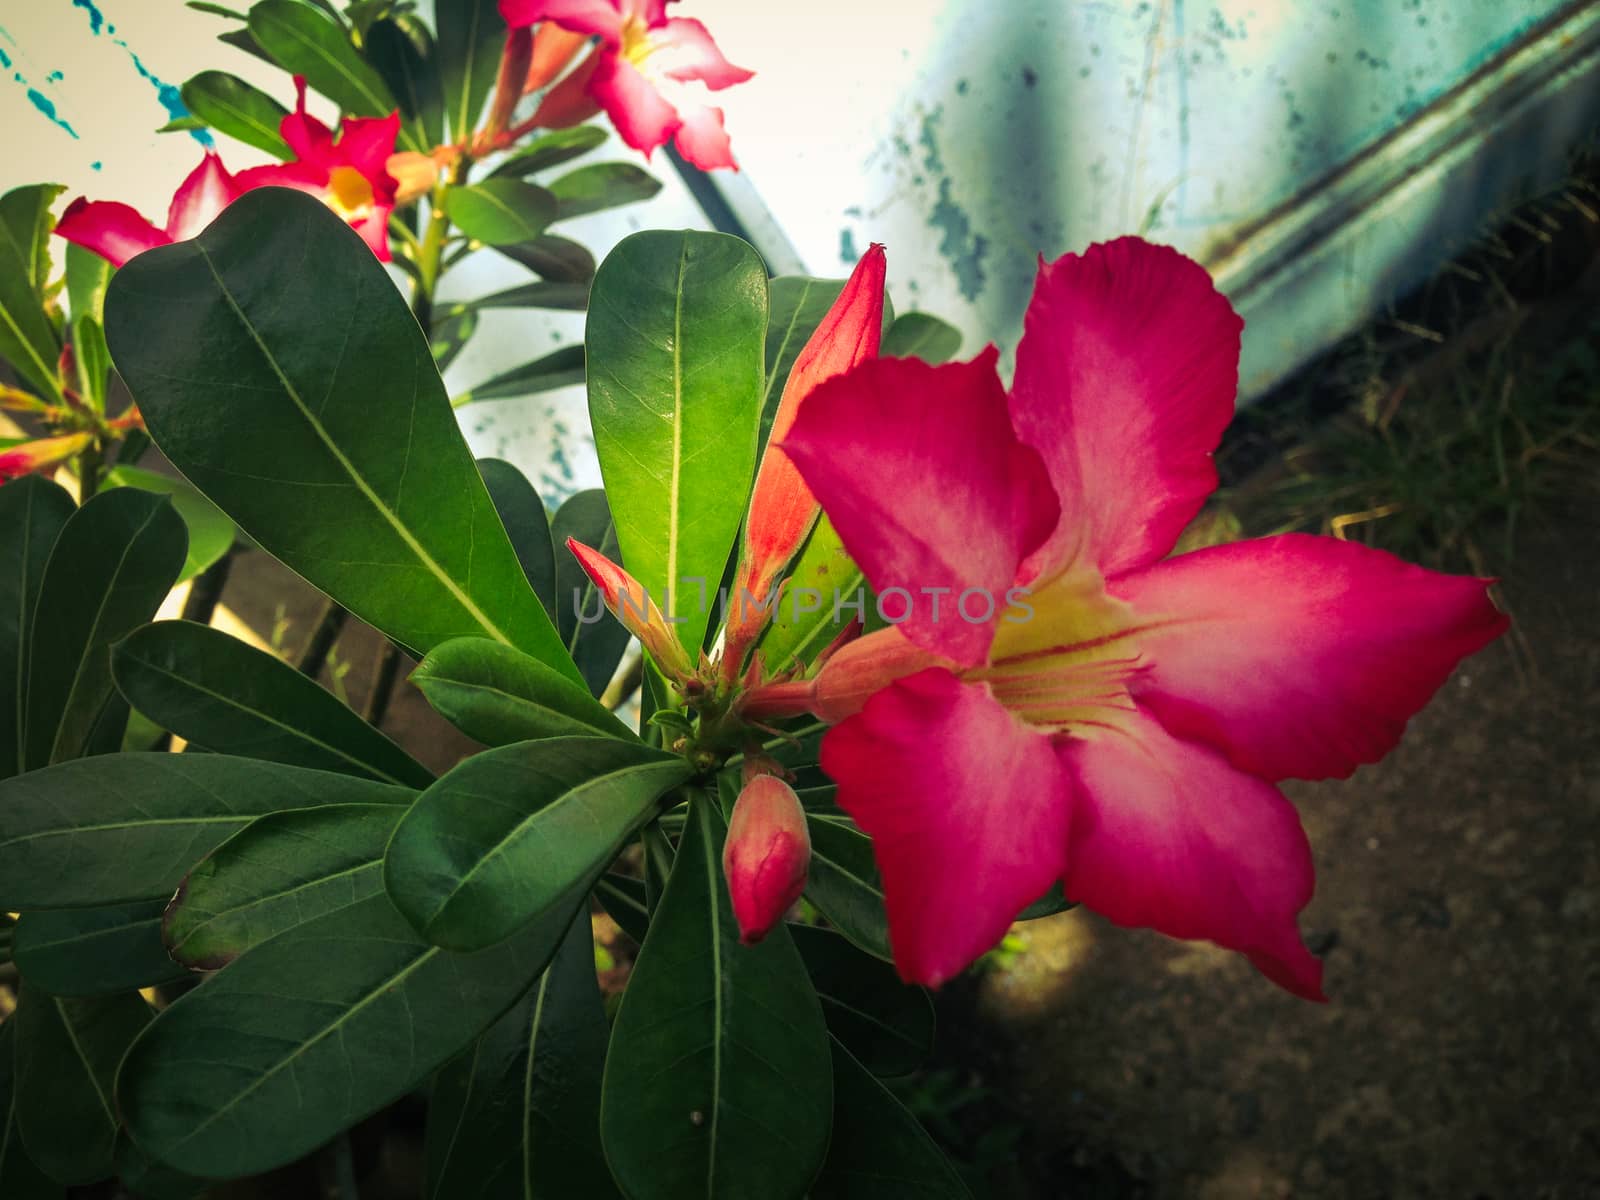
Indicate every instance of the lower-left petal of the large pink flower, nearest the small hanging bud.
{"type": "Point", "coordinates": [967, 809]}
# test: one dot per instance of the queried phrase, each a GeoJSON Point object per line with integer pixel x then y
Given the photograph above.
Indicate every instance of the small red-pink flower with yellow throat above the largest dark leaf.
{"type": "Point", "coordinates": [346, 170]}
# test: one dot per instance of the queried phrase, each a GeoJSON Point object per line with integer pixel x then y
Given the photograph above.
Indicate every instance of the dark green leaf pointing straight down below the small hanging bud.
{"type": "Point", "coordinates": [718, 1081]}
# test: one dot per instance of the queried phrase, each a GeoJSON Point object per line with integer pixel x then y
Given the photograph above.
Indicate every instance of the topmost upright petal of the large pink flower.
{"type": "Point", "coordinates": [1126, 380]}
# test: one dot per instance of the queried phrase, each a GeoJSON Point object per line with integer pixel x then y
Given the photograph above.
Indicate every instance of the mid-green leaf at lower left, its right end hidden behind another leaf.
{"type": "Point", "coordinates": [279, 871]}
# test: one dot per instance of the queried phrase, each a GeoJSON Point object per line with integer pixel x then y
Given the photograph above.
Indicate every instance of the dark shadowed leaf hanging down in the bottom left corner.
{"type": "Point", "coordinates": [66, 1060]}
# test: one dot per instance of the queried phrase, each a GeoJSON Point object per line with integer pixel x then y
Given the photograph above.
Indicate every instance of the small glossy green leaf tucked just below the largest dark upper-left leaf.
{"type": "Point", "coordinates": [498, 697]}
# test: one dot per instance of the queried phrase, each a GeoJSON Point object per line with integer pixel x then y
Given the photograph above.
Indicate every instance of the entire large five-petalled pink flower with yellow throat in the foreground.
{"type": "Point", "coordinates": [1119, 729]}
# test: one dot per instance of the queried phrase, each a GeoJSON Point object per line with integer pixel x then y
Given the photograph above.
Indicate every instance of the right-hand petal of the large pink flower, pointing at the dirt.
{"type": "Point", "coordinates": [1300, 657]}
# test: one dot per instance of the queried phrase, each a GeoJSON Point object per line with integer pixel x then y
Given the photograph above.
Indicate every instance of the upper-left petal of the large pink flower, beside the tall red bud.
{"type": "Point", "coordinates": [929, 489]}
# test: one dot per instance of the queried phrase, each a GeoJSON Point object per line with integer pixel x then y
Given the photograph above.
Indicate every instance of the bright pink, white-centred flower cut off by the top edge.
{"type": "Point", "coordinates": [641, 68]}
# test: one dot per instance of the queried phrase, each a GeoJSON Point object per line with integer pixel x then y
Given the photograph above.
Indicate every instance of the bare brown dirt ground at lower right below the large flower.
{"type": "Point", "coordinates": [1458, 906]}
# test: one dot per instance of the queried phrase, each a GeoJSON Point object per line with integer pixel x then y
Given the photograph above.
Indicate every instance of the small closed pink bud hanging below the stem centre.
{"type": "Point", "coordinates": [766, 857]}
